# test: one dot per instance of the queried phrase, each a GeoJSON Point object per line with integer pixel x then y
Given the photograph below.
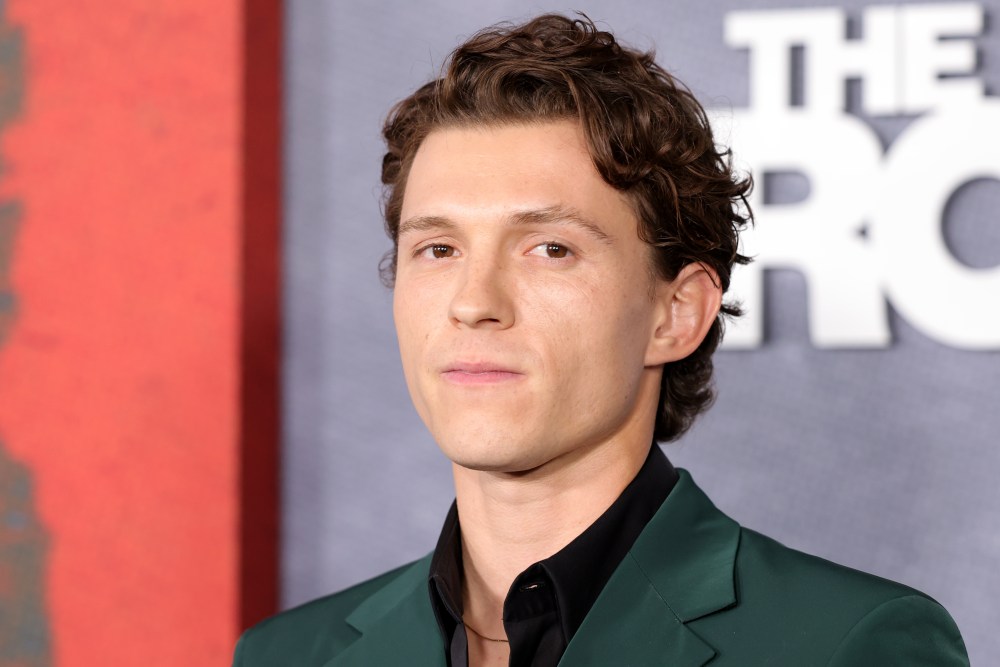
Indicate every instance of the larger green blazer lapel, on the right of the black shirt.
{"type": "Point", "coordinates": [681, 568]}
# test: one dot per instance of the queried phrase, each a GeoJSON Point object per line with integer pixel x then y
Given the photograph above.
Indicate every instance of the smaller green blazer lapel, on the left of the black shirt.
{"type": "Point", "coordinates": [397, 626]}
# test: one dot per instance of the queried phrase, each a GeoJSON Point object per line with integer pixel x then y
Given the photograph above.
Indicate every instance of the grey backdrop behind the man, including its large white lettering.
{"type": "Point", "coordinates": [857, 414]}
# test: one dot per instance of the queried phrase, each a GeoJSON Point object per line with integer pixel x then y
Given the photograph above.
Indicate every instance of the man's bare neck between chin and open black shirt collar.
{"type": "Point", "coordinates": [512, 520]}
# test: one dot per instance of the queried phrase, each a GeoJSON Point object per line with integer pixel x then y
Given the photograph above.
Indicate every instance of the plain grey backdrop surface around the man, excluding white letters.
{"type": "Point", "coordinates": [881, 459]}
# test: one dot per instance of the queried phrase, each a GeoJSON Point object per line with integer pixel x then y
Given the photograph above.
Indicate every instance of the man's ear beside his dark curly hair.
{"type": "Point", "coordinates": [686, 308]}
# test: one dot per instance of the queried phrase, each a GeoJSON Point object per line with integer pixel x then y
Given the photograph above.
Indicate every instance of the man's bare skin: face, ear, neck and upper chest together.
{"type": "Point", "coordinates": [533, 332]}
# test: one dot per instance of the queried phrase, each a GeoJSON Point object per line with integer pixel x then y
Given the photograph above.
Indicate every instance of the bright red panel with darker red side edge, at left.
{"type": "Point", "coordinates": [132, 368]}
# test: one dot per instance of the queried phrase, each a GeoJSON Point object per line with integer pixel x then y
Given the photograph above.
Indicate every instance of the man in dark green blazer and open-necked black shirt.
{"type": "Point", "coordinates": [563, 231]}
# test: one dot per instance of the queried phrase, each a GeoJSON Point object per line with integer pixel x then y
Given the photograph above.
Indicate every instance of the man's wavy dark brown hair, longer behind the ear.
{"type": "Point", "coordinates": [648, 137]}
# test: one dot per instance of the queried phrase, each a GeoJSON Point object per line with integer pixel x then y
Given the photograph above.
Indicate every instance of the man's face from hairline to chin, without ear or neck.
{"type": "Point", "coordinates": [523, 298]}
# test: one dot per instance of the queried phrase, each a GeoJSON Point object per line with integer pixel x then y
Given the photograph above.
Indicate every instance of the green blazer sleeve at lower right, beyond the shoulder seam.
{"type": "Point", "coordinates": [912, 630]}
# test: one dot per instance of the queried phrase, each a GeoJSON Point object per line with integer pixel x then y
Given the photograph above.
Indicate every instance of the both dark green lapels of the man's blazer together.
{"type": "Point", "coordinates": [680, 568]}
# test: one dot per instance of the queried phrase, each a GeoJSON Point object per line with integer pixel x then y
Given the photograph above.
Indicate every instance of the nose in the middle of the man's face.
{"type": "Point", "coordinates": [482, 297]}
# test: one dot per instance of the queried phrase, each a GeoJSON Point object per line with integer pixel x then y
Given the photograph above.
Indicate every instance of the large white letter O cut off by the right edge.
{"type": "Point", "coordinates": [955, 304]}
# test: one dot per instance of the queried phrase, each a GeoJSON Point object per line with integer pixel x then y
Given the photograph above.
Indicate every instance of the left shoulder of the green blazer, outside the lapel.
{"type": "Point", "coordinates": [313, 632]}
